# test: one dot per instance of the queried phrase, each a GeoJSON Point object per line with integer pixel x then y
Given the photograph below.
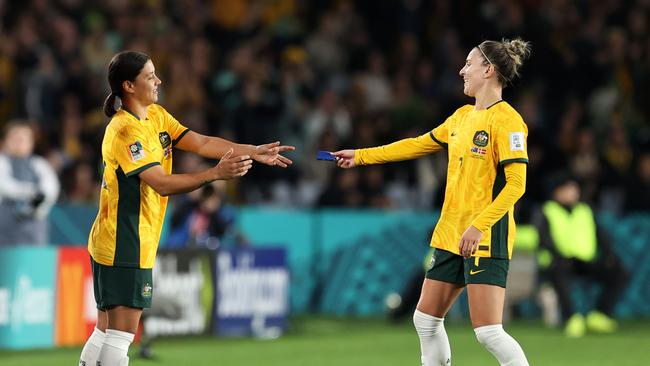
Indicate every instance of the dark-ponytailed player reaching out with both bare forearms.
{"type": "Point", "coordinates": [137, 154]}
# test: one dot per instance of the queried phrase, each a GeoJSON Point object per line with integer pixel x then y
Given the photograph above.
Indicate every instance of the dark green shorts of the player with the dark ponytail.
{"type": "Point", "coordinates": [121, 286]}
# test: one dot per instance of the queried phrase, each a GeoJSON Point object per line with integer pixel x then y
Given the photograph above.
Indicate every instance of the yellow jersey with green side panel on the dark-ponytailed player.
{"type": "Point", "coordinates": [130, 218]}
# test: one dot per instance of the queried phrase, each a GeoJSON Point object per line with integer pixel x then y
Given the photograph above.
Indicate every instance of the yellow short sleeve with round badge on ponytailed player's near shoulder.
{"type": "Point", "coordinates": [132, 151]}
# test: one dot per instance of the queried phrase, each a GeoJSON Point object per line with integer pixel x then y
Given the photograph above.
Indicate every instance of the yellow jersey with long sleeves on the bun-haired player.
{"type": "Point", "coordinates": [480, 144]}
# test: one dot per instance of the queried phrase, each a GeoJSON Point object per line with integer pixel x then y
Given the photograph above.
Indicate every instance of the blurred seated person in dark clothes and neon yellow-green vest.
{"type": "Point", "coordinates": [574, 246]}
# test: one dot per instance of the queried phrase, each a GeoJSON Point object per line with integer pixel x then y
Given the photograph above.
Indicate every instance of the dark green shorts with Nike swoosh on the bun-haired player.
{"type": "Point", "coordinates": [453, 268]}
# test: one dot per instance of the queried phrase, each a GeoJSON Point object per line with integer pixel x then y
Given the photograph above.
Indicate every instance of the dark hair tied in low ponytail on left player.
{"type": "Point", "coordinates": [125, 66]}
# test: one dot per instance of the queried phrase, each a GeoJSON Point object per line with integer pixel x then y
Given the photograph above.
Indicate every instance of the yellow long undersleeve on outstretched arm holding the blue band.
{"type": "Point", "coordinates": [405, 149]}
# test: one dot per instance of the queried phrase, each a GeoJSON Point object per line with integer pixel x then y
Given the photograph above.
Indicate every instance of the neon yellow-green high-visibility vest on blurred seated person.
{"type": "Point", "coordinates": [573, 233]}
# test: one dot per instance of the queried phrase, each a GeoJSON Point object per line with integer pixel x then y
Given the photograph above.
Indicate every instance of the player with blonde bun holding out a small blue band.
{"type": "Point", "coordinates": [473, 240]}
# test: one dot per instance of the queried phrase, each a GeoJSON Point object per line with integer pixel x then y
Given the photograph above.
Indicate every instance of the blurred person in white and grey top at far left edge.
{"type": "Point", "coordinates": [28, 188]}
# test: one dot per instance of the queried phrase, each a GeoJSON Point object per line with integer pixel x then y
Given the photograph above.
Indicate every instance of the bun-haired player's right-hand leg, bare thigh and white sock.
{"type": "Point", "coordinates": [486, 311]}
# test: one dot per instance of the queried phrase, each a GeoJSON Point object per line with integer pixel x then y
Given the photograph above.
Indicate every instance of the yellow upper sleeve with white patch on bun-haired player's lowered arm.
{"type": "Point", "coordinates": [511, 141]}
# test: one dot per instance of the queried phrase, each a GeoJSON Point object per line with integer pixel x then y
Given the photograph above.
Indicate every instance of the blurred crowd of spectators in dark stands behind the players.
{"type": "Point", "coordinates": [325, 75]}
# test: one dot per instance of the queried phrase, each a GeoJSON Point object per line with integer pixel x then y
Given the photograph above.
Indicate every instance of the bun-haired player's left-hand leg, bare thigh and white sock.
{"type": "Point", "coordinates": [436, 299]}
